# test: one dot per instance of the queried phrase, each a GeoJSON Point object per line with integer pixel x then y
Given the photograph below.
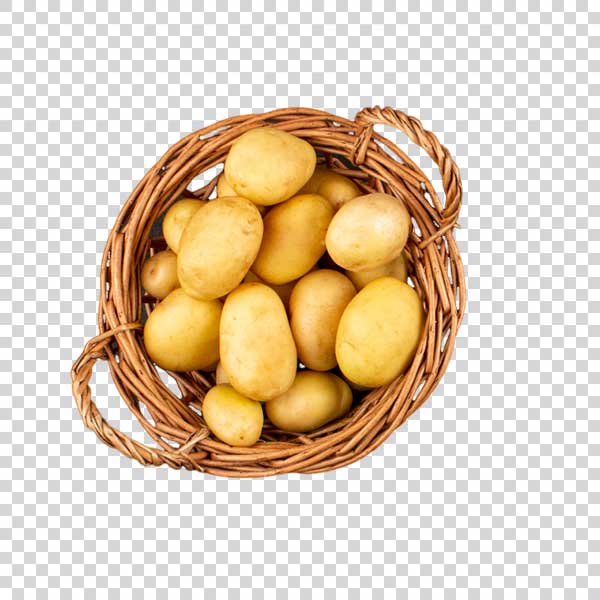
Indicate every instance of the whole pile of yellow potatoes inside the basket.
{"type": "Point", "coordinates": [290, 285]}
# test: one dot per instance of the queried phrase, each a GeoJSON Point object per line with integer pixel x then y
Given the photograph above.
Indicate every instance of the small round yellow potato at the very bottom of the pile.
{"type": "Point", "coordinates": [233, 418]}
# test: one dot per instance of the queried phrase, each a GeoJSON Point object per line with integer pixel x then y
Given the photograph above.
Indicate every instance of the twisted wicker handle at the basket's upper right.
{"type": "Point", "coordinates": [427, 140]}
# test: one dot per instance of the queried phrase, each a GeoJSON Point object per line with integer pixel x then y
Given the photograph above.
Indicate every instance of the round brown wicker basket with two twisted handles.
{"type": "Point", "coordinates": [175, 423]}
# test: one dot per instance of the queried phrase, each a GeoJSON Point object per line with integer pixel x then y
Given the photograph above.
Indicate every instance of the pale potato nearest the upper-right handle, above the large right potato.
{"type": "Point", "coordinates": [368, 232]}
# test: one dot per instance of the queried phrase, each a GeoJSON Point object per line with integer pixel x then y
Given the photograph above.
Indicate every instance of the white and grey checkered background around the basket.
{"type": "Point", "coordinates": [492, 489]}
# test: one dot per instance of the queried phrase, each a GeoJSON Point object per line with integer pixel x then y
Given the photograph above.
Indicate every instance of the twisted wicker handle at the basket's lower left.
{"type": "Point", "coordinates": [81, 373]}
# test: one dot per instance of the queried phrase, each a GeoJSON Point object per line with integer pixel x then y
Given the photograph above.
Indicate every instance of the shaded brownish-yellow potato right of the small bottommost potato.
{"type": "Point", "coordinates": [313, 400]}
